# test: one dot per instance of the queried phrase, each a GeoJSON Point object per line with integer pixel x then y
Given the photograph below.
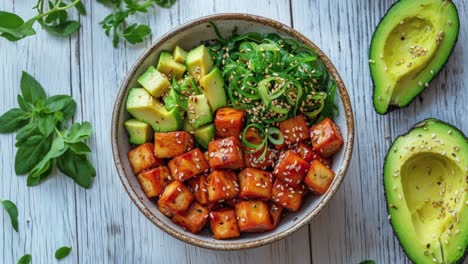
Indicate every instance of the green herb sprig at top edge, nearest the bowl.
{"type": "Point", "coordinates": [115, 23]}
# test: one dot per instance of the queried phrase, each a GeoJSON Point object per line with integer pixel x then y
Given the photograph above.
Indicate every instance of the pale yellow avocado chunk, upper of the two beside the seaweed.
{"type": "Point", "coordinates": [199, 62]}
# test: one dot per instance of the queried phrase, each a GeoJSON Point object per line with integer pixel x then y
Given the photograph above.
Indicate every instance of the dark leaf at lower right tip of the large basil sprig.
{"type": "Point", "coordinates": [76, 167]}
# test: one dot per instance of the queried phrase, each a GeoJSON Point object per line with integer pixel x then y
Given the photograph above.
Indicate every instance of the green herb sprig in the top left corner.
{"type": "Point", "coordinates": [52, 16]}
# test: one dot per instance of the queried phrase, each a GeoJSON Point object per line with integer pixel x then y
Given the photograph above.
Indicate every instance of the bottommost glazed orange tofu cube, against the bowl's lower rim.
{"type": "Point", "coordinates": [223, 224]}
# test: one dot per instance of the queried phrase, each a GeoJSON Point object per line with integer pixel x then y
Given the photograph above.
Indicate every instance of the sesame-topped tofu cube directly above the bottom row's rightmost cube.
{"type": "Point", "coordinates": [255, 184]}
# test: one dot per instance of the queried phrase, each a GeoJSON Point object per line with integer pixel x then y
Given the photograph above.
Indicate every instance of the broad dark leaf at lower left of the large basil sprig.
{"type": "Point", "coordinates": [31, 152]}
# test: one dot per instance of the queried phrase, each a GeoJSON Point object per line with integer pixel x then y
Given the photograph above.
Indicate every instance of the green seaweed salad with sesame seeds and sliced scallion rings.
{"type": "Point", "coordinates": [273, 78]}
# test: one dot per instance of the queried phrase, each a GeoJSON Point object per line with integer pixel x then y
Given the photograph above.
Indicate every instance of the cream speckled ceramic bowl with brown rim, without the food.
{"type": "Point", "coordinates": [188, 36]}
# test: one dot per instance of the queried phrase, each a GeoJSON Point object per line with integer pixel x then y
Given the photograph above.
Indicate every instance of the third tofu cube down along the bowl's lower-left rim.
{"type": "Point", "coordinates": [176, 198]}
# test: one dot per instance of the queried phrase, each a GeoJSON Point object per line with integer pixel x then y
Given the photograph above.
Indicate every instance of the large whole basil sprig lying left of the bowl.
{"type": "Point", "coordinates": [42, 138]}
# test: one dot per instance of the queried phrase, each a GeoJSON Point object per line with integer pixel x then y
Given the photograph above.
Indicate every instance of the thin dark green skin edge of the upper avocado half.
{"type": "Point", "coordinates": [393, 107]}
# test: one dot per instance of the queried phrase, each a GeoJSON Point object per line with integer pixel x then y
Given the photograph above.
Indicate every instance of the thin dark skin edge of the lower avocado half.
{"type": "Point", "coordinates": [419, 124]}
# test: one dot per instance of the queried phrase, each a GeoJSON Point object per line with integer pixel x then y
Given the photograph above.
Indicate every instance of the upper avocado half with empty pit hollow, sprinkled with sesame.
{"type": "Point", "coordinates": [411, 44]}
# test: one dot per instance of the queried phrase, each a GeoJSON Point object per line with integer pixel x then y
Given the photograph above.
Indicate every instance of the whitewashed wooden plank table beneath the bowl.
{"type": "Point", "coordinates": [102, 224]}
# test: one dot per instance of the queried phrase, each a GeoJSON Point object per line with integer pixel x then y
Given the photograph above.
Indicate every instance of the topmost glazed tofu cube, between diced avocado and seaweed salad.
{"type": "Point", "coordinates": [229, 122]}
